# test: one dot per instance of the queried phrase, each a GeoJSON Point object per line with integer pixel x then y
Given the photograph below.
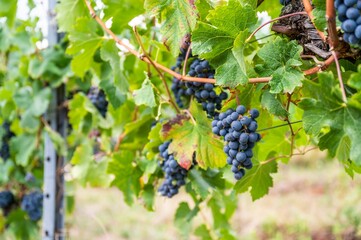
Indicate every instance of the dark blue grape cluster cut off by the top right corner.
{"type": "Point", "coordinates": [349, 15]}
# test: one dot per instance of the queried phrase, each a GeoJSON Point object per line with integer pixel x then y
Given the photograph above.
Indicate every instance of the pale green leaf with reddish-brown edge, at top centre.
{"type": "Point", "coordinates": [179, 18]}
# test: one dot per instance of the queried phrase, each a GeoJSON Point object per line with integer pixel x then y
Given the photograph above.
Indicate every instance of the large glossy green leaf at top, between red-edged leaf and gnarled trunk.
{"type": "Point", "coordinates": [222, 41]}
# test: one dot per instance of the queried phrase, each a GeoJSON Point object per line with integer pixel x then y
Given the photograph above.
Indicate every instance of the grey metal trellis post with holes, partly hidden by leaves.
{"type": "Point", "coordinates": [54, 189]}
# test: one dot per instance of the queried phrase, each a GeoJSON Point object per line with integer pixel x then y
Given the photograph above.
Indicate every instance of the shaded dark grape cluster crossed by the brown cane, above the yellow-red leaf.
{"type": "Point", "coordinates": [204, 93]}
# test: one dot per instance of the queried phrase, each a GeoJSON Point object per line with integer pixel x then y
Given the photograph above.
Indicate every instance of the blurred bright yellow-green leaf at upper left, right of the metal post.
{"type": "Point", "coordinates": [84, 42]}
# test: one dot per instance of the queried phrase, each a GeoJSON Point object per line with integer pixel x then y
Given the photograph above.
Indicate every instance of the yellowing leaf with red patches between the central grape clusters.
{"type": "Point", "coordinates": [189, 137]}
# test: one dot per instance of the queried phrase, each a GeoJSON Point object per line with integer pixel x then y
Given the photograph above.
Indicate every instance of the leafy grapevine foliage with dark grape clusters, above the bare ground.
{"type": "Point", "coordinates": [291, 73]}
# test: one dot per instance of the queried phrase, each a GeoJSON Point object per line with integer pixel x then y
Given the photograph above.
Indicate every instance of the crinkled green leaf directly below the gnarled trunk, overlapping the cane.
{"type": "Point", "coordinates": [281, 61]}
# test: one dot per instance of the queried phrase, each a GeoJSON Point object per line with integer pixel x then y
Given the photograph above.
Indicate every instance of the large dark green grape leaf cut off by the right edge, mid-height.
{"type": "Point", "coordinates": [326, 116]}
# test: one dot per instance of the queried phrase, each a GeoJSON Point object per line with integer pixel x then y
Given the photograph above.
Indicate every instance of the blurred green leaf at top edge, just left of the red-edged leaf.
{"type": "Point", "coordinates": [121, 12]}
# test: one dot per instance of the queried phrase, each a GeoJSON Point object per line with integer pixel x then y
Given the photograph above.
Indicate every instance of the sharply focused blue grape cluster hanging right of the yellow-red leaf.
{"type": "Point", "coordinates": [239, 133]}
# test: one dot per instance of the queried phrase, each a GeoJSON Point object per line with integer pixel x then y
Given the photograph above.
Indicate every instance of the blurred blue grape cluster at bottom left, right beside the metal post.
{"type": "Point", "coordinates": [32, 204]}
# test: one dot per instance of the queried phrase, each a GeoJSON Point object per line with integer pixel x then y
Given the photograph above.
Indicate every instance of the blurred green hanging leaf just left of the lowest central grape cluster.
{"type": "Point", "coordinates": [127, 176]}
